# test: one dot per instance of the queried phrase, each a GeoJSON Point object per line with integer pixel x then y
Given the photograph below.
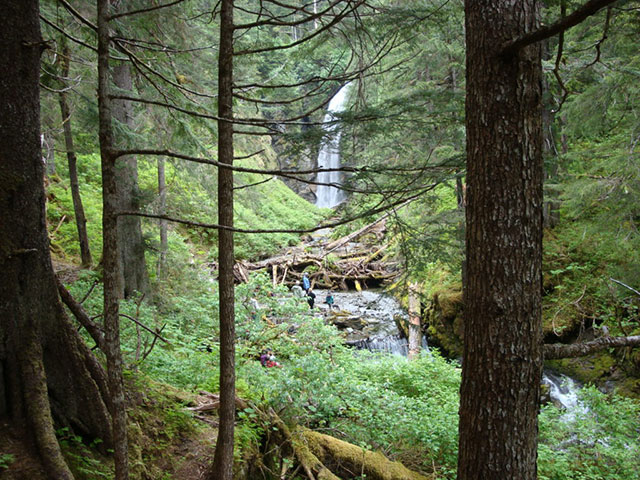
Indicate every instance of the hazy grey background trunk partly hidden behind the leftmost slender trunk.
{"type": "Point", "coordinates": [133, 270]}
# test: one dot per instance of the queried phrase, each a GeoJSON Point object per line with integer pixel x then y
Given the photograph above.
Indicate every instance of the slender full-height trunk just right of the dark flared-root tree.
{"type": "Point", "coordinates": [110, 257]}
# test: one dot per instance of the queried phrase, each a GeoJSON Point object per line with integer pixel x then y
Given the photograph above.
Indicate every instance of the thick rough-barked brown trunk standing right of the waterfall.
{"type": "Point", "coordinates": [502, 360]}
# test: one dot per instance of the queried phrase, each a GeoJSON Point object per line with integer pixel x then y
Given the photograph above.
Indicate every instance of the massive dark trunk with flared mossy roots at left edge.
{"type": "Point", "coordinates": [44, 366]}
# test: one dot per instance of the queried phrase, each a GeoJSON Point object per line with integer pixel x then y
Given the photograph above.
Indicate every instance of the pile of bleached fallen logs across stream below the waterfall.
{"type": "Point", "coordinates": [339, 264]}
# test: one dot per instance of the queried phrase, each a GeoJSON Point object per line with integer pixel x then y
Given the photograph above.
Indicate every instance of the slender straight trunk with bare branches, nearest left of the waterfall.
{"type": "Point", "coordinates": [223, 458]}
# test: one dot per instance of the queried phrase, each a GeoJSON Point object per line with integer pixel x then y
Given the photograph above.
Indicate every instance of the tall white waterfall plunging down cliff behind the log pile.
{"type": "Point", "coordinates": [328, 196]}
